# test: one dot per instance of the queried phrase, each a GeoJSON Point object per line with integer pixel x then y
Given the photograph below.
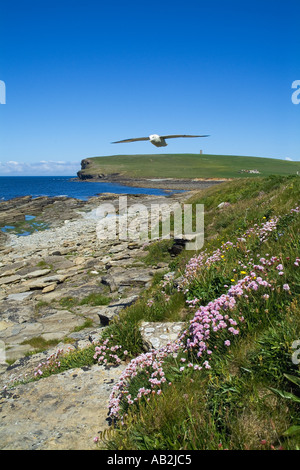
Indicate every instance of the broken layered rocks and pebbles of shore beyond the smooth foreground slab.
{"type": "Point", "coordinates": [66, 260]}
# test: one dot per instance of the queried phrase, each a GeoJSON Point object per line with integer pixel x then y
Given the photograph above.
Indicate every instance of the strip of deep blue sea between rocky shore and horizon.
{"type": "Point", "coordinates": [15, 186]}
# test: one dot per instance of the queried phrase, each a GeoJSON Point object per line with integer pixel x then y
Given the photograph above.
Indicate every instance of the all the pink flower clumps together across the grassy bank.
{"type": "Point", "coordinates": [221, 314]}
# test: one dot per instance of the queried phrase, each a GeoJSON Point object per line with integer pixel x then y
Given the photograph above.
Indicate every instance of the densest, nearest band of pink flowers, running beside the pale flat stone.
{"type": "Point", "coordinates": [210, 318]}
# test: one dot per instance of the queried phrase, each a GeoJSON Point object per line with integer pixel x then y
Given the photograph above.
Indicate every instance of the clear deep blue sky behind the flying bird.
{"type": "Point", "coordinates": [81, 74]}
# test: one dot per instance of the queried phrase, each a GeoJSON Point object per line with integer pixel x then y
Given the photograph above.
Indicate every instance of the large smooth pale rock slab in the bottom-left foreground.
{"type": "Point", "coordinates": [61, 412]}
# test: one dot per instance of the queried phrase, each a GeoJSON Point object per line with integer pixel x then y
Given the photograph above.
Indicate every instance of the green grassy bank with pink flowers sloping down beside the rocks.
{"type": "Point", "coordinates": [232, 380]}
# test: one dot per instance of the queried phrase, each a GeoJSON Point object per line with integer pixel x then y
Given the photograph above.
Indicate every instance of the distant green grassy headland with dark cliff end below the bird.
{"type": "Point", "coordinates": [186, 166]}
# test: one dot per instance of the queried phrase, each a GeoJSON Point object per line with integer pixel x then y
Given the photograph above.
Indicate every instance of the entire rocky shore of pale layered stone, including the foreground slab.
{"type": "Point", "coordinates": [44, 277]}
